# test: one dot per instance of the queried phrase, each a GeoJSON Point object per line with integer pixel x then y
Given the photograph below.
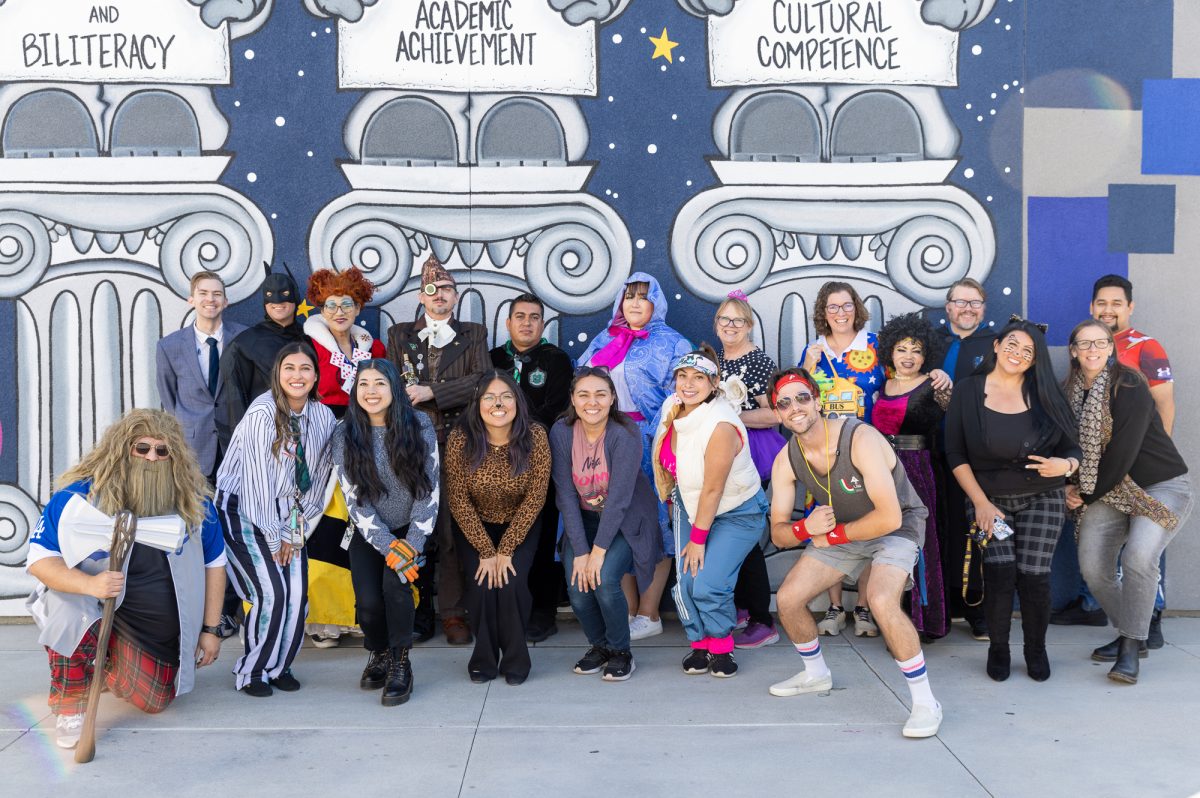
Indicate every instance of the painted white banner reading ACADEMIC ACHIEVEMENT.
{"type": "Point", "coordinates": [467, 46]}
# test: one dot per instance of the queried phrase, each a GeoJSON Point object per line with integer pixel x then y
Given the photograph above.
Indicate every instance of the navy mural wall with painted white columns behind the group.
{"type": "Point", "coordinates": [557, 146]}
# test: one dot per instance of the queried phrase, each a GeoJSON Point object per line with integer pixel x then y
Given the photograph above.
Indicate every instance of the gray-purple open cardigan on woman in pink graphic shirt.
{"type": "Point", "coordinates": [632, 507]}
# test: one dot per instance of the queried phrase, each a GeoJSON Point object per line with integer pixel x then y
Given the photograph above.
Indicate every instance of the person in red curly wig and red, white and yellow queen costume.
{"type": "Point", "coordinates": [341, 346]}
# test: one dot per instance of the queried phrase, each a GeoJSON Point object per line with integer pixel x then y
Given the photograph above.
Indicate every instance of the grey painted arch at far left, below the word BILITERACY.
{"type": "Point", "coordinates": [49, 124]}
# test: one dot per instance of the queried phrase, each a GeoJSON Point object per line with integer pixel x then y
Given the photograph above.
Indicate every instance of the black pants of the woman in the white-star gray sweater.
{"type": "Point", "coordinates": [383, 604]}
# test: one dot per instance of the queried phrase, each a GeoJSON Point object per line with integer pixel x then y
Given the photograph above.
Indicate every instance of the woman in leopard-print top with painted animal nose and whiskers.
{"type": "Point", "coordinates": [497, 471]}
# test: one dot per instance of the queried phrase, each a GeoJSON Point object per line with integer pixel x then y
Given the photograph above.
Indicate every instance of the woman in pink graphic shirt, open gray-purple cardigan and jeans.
{"type": "Point", "coordinates": [610, 518]}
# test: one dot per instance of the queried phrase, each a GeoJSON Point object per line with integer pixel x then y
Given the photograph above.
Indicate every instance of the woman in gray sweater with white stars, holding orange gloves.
{"type": "Point", "coordinates": [386, 459]}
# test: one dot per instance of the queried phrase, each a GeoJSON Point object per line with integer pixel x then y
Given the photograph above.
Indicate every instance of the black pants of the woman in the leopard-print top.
{"type": "Point", "coordinates": [499, 616]}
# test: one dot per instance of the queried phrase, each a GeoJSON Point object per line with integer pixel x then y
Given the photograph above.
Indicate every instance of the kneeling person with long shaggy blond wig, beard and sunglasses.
{"type": "Point", "coordinates": [169, 603]}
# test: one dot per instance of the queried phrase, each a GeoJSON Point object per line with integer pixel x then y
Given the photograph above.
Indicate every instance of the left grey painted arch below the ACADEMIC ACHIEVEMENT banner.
{"type": "Point", "coordinates": [410, 131]}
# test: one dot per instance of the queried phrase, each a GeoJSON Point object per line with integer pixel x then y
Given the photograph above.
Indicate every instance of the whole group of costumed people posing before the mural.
{"type": "Point", "coordinates": [346, 487]}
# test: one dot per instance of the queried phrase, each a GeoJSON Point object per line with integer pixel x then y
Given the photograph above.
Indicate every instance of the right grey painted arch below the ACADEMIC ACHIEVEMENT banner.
{"type": "Point", "coordinates": [521, 131]}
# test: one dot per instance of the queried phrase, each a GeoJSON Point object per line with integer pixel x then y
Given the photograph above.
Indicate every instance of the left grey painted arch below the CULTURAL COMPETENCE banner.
{"type": "Point", "coordinates": [776, 127]}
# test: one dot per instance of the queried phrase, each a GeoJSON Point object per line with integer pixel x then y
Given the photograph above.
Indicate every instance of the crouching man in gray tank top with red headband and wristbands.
{"type": "Point", "coordinates": [867, 513]}
